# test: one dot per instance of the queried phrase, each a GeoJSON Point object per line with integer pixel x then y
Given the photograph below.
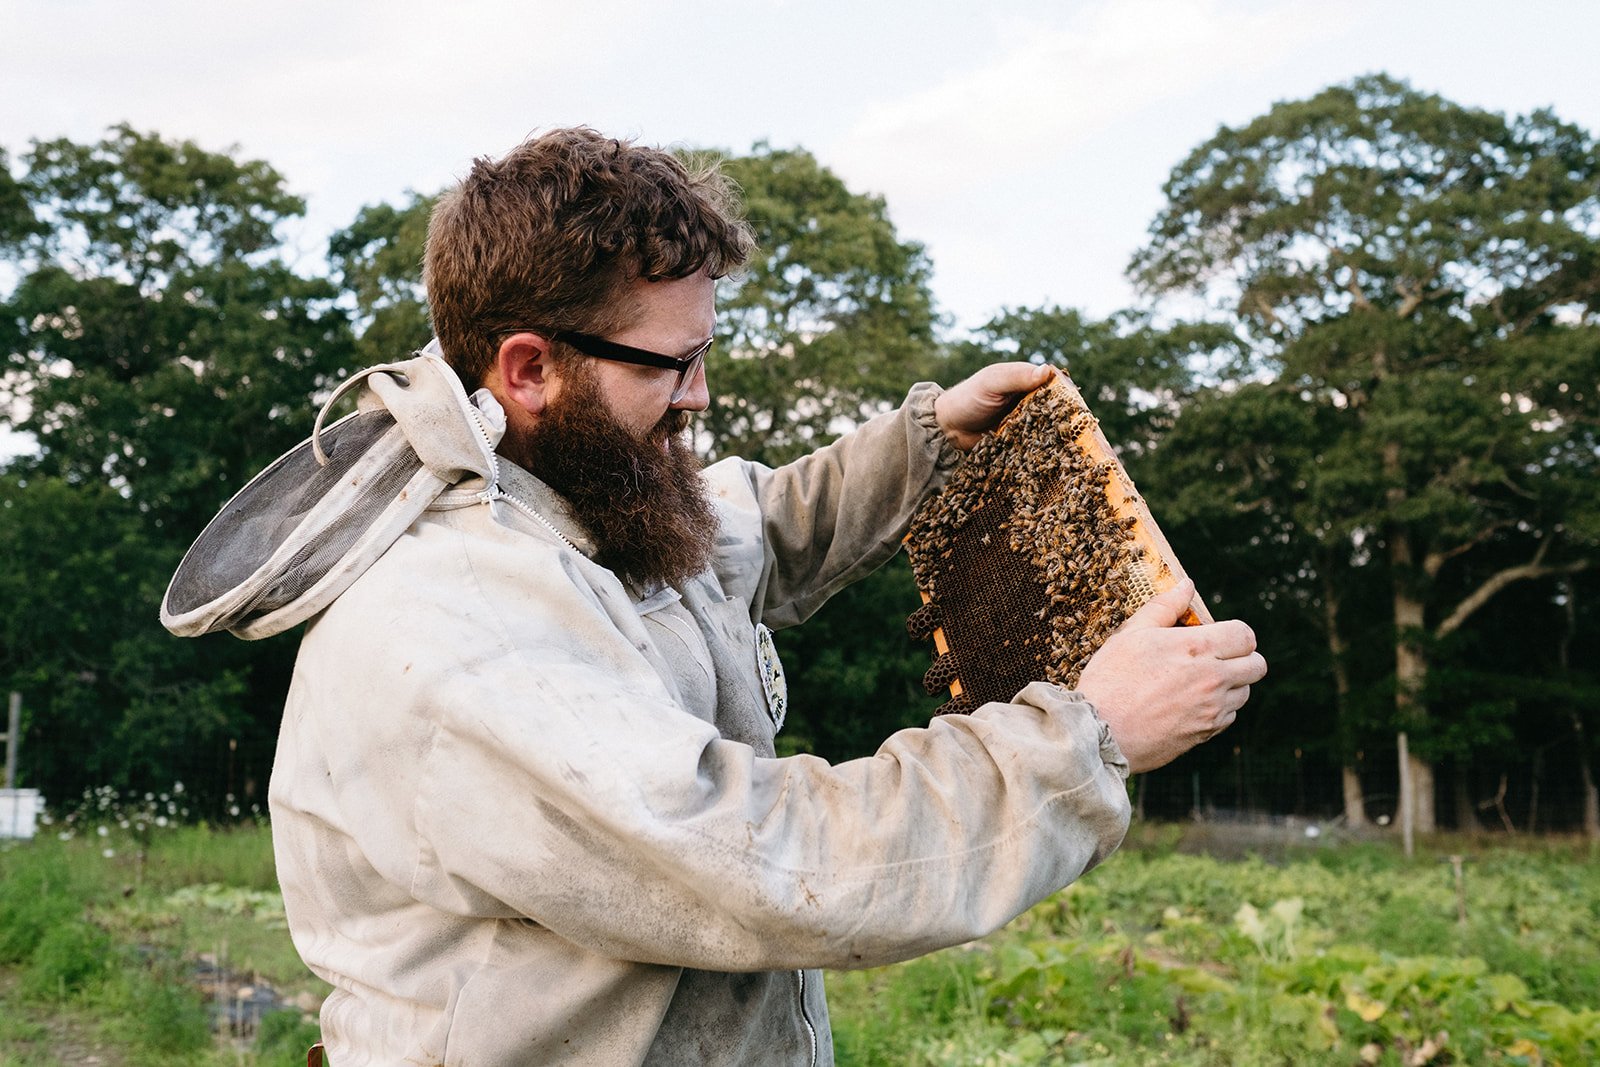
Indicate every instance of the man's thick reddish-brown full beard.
{"type": "Point", "coordinates": [642, 502]}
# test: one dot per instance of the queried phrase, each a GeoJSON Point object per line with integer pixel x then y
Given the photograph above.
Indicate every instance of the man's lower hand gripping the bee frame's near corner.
{"type": "Point", "coordinates": [1164, 689]}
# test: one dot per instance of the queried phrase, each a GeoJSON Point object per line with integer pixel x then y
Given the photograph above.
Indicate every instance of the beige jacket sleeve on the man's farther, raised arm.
{"type": "Point", "coordinates": [796, 535]}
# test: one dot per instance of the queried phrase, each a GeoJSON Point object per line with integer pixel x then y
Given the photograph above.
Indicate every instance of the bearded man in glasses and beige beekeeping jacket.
{"type": "Point", "coordinates": [526, 804]}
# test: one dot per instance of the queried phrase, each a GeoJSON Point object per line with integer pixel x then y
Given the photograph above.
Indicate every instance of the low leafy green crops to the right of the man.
{"type": "Point", "coordinates": [1169, 959]}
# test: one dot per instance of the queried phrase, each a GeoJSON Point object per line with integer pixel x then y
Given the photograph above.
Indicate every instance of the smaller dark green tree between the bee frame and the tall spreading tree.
{"type": "Point", "coordinates": [1234, 479]}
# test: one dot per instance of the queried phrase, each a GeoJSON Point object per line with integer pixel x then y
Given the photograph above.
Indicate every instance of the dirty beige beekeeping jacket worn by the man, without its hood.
{"type": "Point", "coordinates": [529, 815]}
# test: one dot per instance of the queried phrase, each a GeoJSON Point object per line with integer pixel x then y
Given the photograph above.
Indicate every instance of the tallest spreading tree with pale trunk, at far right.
{"type": "Point", "coordinates": [1428, 278]}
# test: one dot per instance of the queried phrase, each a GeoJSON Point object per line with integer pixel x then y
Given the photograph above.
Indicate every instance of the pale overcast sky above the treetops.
{"type": "Point", "coordinates": [1025, 143]}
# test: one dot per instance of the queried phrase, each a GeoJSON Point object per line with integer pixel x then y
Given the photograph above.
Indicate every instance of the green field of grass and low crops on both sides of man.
{"type": "Point", "coordinates": [140, 945]}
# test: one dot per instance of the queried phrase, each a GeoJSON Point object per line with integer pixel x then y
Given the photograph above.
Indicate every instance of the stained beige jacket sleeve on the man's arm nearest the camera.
{"type": "Point", "coordinates": [562, 785]}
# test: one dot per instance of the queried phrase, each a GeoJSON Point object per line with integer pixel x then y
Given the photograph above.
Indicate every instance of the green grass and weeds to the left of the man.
{"type": "Point", "coordinates": [102, 937]}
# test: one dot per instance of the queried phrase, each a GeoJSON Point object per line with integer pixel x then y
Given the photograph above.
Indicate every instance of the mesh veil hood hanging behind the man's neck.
{"type": "Point", "coordinates": [321, 514]}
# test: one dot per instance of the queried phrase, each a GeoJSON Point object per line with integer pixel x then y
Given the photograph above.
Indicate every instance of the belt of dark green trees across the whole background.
{"type": "Point", "coordinates": [1391, 406]}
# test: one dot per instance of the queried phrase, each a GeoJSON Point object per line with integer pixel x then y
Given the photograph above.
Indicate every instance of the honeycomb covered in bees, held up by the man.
{"type": "Point", "coordinates": [1025, 561]}
